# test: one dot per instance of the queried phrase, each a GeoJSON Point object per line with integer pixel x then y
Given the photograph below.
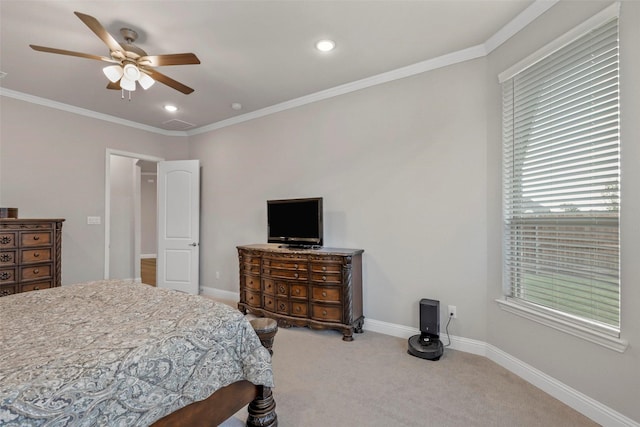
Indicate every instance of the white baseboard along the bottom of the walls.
{"type": "Point", "coordinates": [587, 406]}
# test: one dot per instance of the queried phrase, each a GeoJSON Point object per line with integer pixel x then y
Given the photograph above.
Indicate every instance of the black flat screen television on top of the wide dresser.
{"type": "Point", "coordinates": [295, 222]}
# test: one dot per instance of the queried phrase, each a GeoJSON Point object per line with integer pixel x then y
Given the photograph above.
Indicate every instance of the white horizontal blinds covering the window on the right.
{"type": "Point", "coordinates": [561, 171]}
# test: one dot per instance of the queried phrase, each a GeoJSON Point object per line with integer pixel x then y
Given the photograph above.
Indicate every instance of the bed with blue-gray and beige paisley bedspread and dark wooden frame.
{"type": "Point", "coordinates": [120, 353]}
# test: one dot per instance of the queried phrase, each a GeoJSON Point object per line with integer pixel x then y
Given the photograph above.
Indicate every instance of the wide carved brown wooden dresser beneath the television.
{"type": "Point", "coordinates": [318, 288]}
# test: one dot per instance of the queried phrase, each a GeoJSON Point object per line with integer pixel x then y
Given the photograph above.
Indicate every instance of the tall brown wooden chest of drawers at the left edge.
{"type": "Point", "coordinates": [30, 254]}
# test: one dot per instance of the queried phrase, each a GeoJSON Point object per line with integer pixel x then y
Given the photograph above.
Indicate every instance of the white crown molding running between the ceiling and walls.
{"type": "Point", "coordinates": [537, 8]}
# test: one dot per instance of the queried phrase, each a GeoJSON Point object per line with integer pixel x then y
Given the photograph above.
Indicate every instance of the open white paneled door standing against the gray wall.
{"type": "Point", "coordinates": [179, 225]}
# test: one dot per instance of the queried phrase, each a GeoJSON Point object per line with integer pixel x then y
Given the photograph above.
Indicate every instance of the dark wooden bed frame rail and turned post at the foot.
{"type": "Point", "coordinates": [225, 402]}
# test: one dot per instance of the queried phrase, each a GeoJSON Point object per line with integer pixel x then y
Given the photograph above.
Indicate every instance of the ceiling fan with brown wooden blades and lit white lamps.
{"type": "Point", "coordinates": [131, 64]}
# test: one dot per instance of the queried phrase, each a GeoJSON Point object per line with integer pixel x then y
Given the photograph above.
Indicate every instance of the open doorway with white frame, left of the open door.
{"type": "Point", "coordinates": [126, 216]}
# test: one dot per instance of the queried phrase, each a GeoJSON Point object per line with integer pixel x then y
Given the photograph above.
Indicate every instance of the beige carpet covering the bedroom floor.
{"type": "Point", "coordinates": [372, 381]}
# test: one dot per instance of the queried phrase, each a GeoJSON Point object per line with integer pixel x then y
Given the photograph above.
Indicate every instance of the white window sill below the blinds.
{"type": "Point", "coordinates": [558, 323]}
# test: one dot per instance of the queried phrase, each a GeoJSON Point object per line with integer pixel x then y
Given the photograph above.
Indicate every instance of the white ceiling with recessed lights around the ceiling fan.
{"type": "Point", "coordinates": [257, 53]}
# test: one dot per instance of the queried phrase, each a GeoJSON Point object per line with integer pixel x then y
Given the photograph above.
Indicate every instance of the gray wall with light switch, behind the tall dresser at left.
{"type": "Point", "coordinates": [52, 165]}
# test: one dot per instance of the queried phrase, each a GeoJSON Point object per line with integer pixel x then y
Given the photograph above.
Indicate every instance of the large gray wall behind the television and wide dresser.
{"type": "Point", "coordinates": [401, 168]}
